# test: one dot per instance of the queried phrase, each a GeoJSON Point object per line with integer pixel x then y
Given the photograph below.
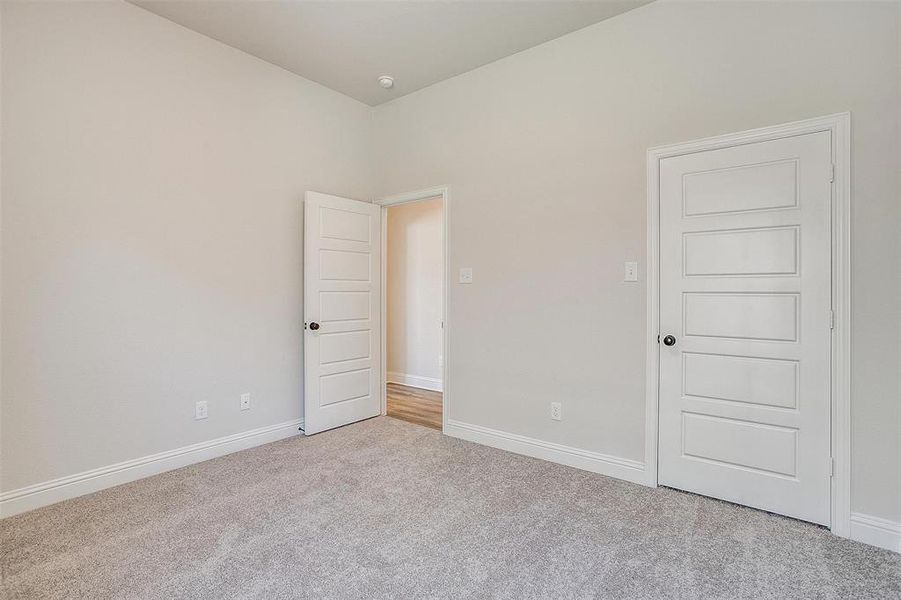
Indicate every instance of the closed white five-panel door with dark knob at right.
{"type": "Point", "coordinates": [745, 280]}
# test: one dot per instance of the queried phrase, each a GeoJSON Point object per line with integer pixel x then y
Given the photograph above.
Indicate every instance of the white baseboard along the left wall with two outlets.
{"type": "Point", "coordinates": [49, 492]}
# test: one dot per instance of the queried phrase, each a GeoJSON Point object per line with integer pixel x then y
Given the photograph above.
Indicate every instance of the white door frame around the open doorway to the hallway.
{"type": "Point", "coordinates": [407, 198]}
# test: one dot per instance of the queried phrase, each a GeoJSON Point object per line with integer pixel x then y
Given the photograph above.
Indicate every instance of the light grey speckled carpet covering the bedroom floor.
{"type": "Point", "coordinates": [387, 509]}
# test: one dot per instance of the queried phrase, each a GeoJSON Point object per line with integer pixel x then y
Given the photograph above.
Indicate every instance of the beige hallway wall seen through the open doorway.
{"type": "Point", "coordinates": [415, 290]}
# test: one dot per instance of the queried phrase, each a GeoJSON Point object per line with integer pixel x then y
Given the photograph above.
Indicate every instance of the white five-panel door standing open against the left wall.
{"type": "Point", "coordinates": [342, 296]}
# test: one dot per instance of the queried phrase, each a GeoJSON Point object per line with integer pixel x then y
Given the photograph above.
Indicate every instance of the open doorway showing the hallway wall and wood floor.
{"type": "Point", "coordinates": [413, 275]}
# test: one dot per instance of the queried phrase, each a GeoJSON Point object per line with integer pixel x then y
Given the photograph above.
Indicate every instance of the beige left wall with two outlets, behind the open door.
{"type": "Point", "coordinates": [152, 198]}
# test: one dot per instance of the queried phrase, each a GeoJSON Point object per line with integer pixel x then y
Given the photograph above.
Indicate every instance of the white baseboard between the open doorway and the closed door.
{"type": "Point", "coordinates": [612, 466]}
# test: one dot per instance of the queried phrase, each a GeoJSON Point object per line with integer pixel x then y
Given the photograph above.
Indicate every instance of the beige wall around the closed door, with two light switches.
{"type": "Point", "coordinates": [544, 154]}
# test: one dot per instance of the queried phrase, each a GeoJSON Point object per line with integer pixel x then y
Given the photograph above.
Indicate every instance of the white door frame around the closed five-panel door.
{"type": "Point", "coordinates": [839, 125]}
